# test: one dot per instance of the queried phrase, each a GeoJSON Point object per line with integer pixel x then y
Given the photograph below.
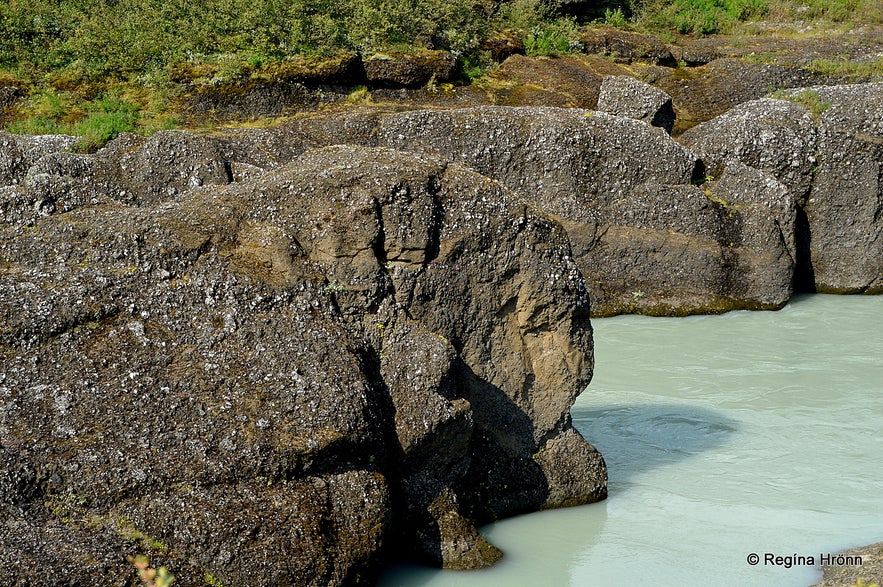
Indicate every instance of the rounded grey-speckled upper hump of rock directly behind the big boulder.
{"type": "Point", "coordinates": [568, 162]}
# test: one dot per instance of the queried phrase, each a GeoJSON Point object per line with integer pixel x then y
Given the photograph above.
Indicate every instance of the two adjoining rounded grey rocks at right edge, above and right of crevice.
{"type": "Point", "coordinates": [831, 167]}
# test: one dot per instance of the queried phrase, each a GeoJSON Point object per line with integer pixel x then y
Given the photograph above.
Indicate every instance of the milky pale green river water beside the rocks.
{"type": "Point", "coordinates": [751, 432]}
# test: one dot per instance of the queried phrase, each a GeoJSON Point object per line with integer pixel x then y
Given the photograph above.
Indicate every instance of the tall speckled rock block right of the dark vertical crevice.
{"type": "Point", "coordinates": [845, 207]}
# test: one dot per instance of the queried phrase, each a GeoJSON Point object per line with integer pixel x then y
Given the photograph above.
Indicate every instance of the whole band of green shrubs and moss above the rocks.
{"type": "Point", "coordinates": [95, 68]}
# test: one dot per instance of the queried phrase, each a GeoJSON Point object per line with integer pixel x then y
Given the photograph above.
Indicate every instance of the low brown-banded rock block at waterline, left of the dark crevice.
{"type": "Point", "coordinates": [673, 250]}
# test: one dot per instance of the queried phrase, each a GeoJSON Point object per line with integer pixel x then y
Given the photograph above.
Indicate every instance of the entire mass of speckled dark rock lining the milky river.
{"type": "Point", "coordinates": [278, 356]}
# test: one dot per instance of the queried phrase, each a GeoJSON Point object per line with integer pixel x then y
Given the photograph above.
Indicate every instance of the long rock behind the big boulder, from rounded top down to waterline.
{"type": "Point", "coordinates": [645, 238]}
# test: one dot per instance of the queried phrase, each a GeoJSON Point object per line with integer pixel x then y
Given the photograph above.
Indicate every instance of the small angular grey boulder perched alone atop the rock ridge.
{"type": "Point", "coordinates": [623, 95]}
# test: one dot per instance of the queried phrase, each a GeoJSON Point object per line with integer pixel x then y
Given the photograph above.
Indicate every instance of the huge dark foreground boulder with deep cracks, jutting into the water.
{"type": "Point", "coordinates": [275, 381]}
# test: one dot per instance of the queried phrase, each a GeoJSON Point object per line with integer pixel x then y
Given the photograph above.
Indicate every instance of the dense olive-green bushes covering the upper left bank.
{"type": "Point", "coordinates": [125, 36]}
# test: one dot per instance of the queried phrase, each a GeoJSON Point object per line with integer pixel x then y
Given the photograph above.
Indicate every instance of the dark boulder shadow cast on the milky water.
{"type": "Point", "coordinates": [637, 438]}
